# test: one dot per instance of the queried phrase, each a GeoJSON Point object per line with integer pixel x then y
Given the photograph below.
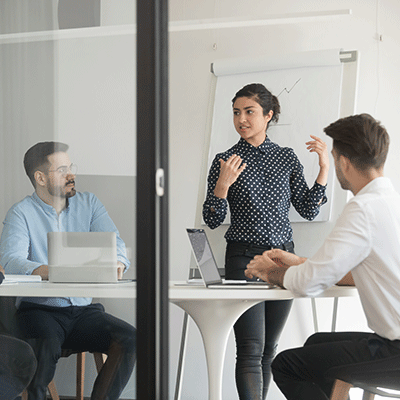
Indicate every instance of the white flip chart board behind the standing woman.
{"type": "Point", "coordinates": [309, 96]}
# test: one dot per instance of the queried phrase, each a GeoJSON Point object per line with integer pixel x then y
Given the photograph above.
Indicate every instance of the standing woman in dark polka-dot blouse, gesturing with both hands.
{"type": "Point", "coordinates": [259, 179]}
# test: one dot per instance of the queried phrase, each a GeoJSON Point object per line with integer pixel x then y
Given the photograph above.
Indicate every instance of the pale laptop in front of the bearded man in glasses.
{"type": "Point", "coordinates": [82, 257]}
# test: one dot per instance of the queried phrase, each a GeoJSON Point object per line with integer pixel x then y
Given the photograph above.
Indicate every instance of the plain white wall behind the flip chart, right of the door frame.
{"type": "Point", "coordinates": [191, 91]}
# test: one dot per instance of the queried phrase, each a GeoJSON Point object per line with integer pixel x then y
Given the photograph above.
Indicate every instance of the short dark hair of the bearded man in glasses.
{"type": "Point", "coordinates": [37, 157]}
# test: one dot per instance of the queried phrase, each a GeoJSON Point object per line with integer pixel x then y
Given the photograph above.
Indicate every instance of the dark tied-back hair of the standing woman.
{"type": "Point", "coordinates": [259, 93]}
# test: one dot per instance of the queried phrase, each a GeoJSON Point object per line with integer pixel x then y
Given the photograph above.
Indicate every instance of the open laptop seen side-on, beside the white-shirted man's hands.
{"type": "Point", "coordinates": [208, 267]}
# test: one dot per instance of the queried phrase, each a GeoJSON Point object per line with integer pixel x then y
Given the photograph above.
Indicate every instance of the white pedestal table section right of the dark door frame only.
{"type": "Point", "coordinates": [216, 310]}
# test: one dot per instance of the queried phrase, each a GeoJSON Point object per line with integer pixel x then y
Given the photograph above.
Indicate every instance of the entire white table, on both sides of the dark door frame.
{"type": "Point", "coordinates": [214, 310]}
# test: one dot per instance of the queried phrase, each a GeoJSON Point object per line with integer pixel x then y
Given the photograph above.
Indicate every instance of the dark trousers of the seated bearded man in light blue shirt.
{"type": "Point", "coordinates": [78, 328]}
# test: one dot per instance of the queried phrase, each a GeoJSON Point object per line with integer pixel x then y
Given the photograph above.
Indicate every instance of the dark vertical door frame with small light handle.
{"type": "Point", "coordinates": [152, 206]}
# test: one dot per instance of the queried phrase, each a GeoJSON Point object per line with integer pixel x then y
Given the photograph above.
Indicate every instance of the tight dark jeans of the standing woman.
{"type": "Point", "coordinates": [257, 331]}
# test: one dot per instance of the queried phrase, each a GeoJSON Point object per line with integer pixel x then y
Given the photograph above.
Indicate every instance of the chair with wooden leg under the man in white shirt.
{"type": "Point", "coordinates": [373, 377]}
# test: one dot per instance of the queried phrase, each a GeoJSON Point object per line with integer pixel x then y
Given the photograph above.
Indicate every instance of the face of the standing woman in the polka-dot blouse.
{"type": "Point", "coordinates": [249, 120]}
